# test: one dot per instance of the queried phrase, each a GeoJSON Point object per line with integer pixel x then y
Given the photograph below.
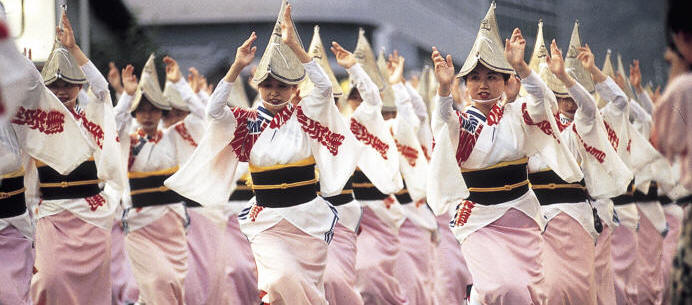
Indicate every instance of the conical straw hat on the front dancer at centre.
{"type": "Point", "coordinates": [278, 59]}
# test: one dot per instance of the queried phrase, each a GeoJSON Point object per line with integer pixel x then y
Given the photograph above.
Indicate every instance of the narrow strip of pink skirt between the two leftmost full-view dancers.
{"type": "Point", "coordinates": [125, 289]}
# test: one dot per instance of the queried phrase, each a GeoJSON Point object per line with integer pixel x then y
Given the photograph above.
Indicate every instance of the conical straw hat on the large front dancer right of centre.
{"type": "Point", "coordinates": [488, 48]}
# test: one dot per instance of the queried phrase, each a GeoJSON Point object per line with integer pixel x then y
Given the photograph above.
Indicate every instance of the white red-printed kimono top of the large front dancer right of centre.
{"type": "Point", "coordinates": [470, 140]}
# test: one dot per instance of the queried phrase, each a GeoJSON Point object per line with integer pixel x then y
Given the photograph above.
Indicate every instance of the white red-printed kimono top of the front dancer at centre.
{"type": "Point", "coordinates": [313, 128]}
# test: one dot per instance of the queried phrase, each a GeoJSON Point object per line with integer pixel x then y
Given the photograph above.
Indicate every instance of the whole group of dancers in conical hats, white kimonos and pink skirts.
{"type": "Point", "coordinates": [544, 187]}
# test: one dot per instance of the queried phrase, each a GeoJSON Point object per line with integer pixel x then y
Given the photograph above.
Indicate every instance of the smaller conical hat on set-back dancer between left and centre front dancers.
{"type": "Point", "coordinates": [150, 88]}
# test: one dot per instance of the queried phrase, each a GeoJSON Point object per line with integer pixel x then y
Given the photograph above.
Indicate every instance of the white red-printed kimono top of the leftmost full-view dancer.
{"type": "Point", "coordinates": [86, 131]}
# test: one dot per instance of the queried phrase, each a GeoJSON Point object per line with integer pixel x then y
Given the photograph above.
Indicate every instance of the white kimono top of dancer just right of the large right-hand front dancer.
{"type": "Point", "coordinates": [605, 174]}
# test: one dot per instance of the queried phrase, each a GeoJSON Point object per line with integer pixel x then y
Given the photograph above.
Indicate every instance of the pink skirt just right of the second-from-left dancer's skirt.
{"type": "Point", "coordinates": [205, 279]}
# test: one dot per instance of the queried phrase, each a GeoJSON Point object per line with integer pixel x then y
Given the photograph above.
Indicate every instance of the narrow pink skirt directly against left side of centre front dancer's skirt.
{"type": "Point", "coordinates": [241, 272]}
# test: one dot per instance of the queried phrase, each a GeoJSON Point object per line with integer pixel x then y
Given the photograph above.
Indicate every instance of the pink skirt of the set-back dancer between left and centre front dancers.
{"type": "Point", "coordinates": [158, 253]}
